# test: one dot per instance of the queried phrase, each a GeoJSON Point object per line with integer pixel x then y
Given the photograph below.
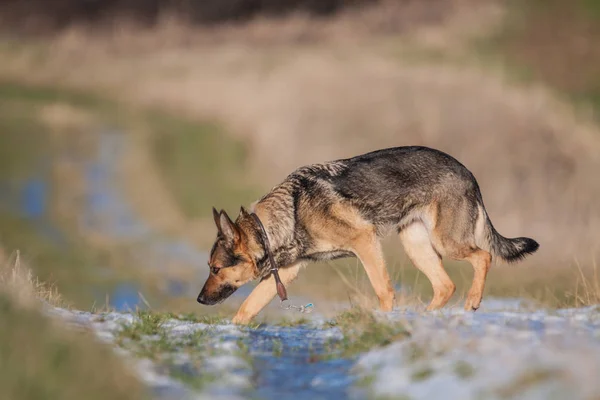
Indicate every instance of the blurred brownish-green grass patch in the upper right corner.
{"type": "Point", "coordinates": [554, 42]}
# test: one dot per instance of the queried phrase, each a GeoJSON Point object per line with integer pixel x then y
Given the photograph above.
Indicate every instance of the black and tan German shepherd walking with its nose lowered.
{"type": "Point", "coordinates": [342, 209]}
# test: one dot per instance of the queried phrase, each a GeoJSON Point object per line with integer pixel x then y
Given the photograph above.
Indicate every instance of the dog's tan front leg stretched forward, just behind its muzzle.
{"type": "Point", "coordinates": [263, 293]}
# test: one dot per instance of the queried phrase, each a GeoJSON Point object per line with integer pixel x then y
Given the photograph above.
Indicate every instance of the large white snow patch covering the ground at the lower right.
{"type": "Point", "coordinates": [490, 354]}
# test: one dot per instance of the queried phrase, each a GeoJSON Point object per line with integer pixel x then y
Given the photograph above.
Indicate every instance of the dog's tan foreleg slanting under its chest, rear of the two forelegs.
{"type": "Point", "coordinates": [368, 250]}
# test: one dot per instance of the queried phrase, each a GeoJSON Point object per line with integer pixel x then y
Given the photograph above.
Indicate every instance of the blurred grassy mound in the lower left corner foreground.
{"type": "Point", "coordinates": [40, 359]}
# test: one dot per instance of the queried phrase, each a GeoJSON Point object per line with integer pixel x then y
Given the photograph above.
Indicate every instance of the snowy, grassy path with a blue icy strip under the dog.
{"type": "Point", "coordinates": [501, 351]}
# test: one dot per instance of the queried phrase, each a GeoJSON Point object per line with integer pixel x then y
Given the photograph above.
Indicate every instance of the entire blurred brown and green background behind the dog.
{"type": "Point", "coordinates": [122, 122]}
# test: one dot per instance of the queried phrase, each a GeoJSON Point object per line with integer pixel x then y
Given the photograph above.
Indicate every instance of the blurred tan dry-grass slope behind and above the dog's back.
{"type": "Point", "coordinates": [295, 104]}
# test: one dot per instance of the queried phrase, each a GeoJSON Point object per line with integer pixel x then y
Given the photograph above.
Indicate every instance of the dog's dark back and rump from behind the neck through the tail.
{"type": "Point", "coordinates": [396, 187]}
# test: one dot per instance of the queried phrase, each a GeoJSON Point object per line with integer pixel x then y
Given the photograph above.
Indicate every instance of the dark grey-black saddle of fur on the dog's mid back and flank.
{"type": "Point", "coordinates": [388, 186]}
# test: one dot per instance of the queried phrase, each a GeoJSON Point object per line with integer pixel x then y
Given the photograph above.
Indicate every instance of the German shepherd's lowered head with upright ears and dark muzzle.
{"type": "Point", "coordinates": [231, 263]}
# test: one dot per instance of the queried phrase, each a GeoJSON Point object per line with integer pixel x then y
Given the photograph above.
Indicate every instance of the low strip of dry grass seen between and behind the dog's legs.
{"type": "Point", "coordinates": [553, 286]}
